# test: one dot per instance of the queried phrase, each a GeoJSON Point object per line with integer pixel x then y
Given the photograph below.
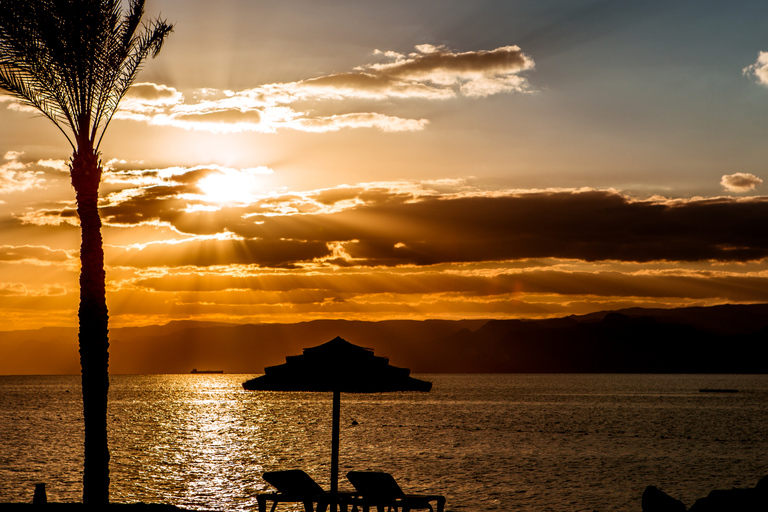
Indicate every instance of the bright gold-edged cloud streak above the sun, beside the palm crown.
{"type": "Point", "coordinates": [429, 73]}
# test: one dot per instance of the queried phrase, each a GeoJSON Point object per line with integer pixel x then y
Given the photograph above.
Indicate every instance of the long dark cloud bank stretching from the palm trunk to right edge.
{"type": "Point", "coordinates": [391, 227]}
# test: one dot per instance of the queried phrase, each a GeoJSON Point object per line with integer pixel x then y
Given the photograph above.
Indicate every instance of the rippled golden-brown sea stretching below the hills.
{"type": "Point", "coordinates": [543, 442]}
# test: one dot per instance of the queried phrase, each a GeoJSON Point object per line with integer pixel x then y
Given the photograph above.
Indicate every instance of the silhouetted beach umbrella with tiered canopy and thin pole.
{"type": "Point", "coordinates": [336, 366]}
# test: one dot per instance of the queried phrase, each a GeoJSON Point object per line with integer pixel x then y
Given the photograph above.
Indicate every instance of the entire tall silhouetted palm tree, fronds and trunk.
{"type": "Point", "coordinates": [73, 61]}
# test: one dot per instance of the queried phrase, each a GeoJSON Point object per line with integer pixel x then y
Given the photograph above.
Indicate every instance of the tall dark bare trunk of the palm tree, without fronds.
{"type": "Point", "coordinates": [94, 334]}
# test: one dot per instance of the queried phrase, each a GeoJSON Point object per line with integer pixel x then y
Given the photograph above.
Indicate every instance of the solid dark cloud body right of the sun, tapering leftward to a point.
{"type": "Point", "coordinates": [589, 226]}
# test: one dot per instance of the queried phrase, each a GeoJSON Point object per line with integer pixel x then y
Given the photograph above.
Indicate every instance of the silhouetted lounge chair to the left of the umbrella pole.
{"type": "Point", "coordinates": [295, 486]}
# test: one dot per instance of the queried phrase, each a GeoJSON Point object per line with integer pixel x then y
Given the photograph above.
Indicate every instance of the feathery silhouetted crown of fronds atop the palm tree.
{"type": "Point", "coordinates": [74, 60]}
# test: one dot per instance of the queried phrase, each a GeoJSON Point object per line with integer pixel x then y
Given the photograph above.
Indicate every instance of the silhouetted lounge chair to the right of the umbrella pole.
{"type": "Point", "coordinates": [380, 490]}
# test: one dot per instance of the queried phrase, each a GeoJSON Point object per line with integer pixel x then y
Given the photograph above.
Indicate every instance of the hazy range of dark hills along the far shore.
{"type": "Point", "coordinates": [720, 339]}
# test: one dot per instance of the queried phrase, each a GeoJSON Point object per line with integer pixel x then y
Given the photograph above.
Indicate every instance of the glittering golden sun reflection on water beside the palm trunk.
{"type": "Point", "coordinates": [195, 437]}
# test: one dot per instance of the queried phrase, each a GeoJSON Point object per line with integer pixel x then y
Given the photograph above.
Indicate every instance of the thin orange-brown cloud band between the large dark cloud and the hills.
{"type": "Point", "coordinates": [600, 283]}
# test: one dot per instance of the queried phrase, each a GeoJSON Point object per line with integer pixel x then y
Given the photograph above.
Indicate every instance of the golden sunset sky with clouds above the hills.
{"type": "Point", "coordinates": [369, 160]}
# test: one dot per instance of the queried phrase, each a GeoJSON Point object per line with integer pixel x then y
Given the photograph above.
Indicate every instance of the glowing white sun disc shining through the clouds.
{"type": "Point", "coordinates": [233, 186]}
